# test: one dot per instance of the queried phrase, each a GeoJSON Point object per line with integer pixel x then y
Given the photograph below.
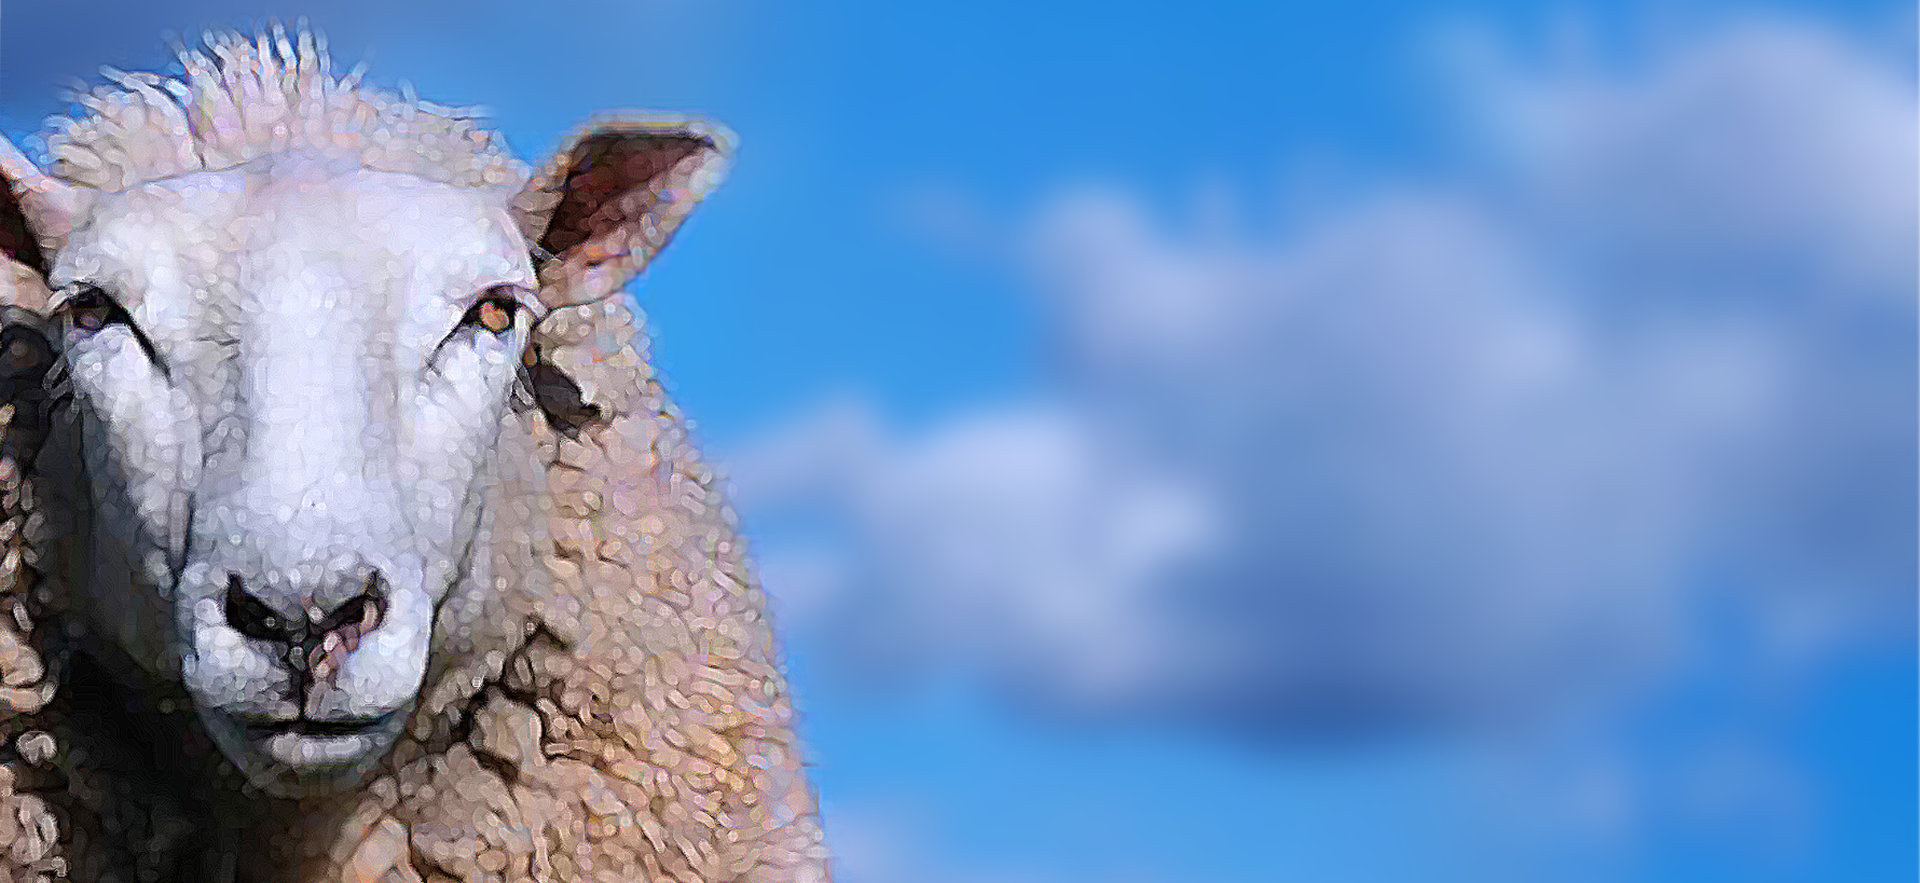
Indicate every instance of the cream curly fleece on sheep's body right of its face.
{"type": "Point", "coordinates": [638, 728]}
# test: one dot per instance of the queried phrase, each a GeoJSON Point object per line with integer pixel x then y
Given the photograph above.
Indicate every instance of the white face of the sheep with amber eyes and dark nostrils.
{"type": "Point", "coordinates": [289, 381]}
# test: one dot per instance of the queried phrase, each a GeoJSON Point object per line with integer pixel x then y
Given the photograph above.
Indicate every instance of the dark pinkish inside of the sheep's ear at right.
{"type": "Point", "coordinates": [613, 181]}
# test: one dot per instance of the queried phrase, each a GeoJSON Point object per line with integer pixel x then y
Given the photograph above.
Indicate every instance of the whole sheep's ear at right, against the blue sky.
{"type": "Point", "coordinates": [613, 199]}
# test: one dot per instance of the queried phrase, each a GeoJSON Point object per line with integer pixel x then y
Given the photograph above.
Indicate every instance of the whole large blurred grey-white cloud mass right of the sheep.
{"type": "Point", "coordinates": [1451, 454]}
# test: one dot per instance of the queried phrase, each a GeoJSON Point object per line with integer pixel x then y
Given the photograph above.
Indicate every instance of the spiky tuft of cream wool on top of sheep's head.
{"type": "Point", "coordinates": [241, 99]}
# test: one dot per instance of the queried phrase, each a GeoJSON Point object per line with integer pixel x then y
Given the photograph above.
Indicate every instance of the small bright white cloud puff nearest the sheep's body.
{"type": "Point", "coordinates": [1026, 546]}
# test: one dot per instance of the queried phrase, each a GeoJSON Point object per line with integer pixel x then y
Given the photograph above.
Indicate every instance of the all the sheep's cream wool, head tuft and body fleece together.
{"type": "Point", "coordinates": [621, 715]}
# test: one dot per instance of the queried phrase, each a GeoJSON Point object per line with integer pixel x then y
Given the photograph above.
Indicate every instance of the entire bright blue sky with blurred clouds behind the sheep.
{"type": "Point", "coordinates": [1212, 442]}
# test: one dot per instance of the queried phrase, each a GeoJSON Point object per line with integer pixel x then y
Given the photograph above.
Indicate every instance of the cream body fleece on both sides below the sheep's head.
{"type": "Point", "coordinates": [629, 725]}
